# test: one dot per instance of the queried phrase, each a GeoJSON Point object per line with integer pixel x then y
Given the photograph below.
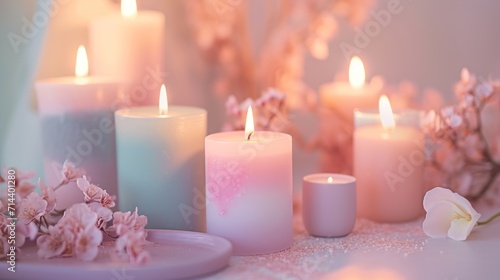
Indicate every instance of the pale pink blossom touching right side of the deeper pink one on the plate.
{"type": "Point", "coordinates": [87, 243]}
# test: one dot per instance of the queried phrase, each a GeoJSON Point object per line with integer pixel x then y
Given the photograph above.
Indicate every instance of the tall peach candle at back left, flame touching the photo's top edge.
{"type": "Point", "coordinates": [130, 46]}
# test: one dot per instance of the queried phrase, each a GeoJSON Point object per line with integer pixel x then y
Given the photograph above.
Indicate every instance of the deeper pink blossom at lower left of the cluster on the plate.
{"type": "Point", "coordinates": [58, 242]}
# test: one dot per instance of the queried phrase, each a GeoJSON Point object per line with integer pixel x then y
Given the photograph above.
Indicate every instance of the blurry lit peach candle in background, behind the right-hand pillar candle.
{"type": "Point", "coordinates": [343, 97]}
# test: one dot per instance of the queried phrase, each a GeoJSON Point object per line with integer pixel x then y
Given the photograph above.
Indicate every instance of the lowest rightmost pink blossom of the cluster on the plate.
{"type": "Point", "coordinates": [130, 246]}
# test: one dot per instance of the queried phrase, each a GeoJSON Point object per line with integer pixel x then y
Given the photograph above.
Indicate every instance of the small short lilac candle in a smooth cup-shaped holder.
{"type": "Point", "coordinates": [329, 204]}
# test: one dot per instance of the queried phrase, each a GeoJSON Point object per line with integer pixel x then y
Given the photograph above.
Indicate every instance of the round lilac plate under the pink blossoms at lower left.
{"type": "Point", "coordinates": [174, 254]}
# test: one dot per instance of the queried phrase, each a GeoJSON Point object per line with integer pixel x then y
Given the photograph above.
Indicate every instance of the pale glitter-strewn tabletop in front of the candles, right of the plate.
{"type": "Point", "coordinates": [377, 251]}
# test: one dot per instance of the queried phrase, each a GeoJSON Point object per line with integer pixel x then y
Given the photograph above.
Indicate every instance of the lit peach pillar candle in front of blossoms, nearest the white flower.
{"type": "Point", "coordinates": [388, 165]}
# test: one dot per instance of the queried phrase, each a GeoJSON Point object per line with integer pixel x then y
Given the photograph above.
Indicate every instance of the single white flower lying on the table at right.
{"type": "Point", "coordinates": [448, 215]}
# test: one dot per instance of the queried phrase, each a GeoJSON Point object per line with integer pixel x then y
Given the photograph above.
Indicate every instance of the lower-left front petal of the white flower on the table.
{"type": "Point", "coordinates": [437, 219]}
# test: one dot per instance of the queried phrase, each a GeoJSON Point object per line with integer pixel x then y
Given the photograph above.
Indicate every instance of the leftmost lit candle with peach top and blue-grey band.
{"type": "Point", "coordinates": [78, 125]}
